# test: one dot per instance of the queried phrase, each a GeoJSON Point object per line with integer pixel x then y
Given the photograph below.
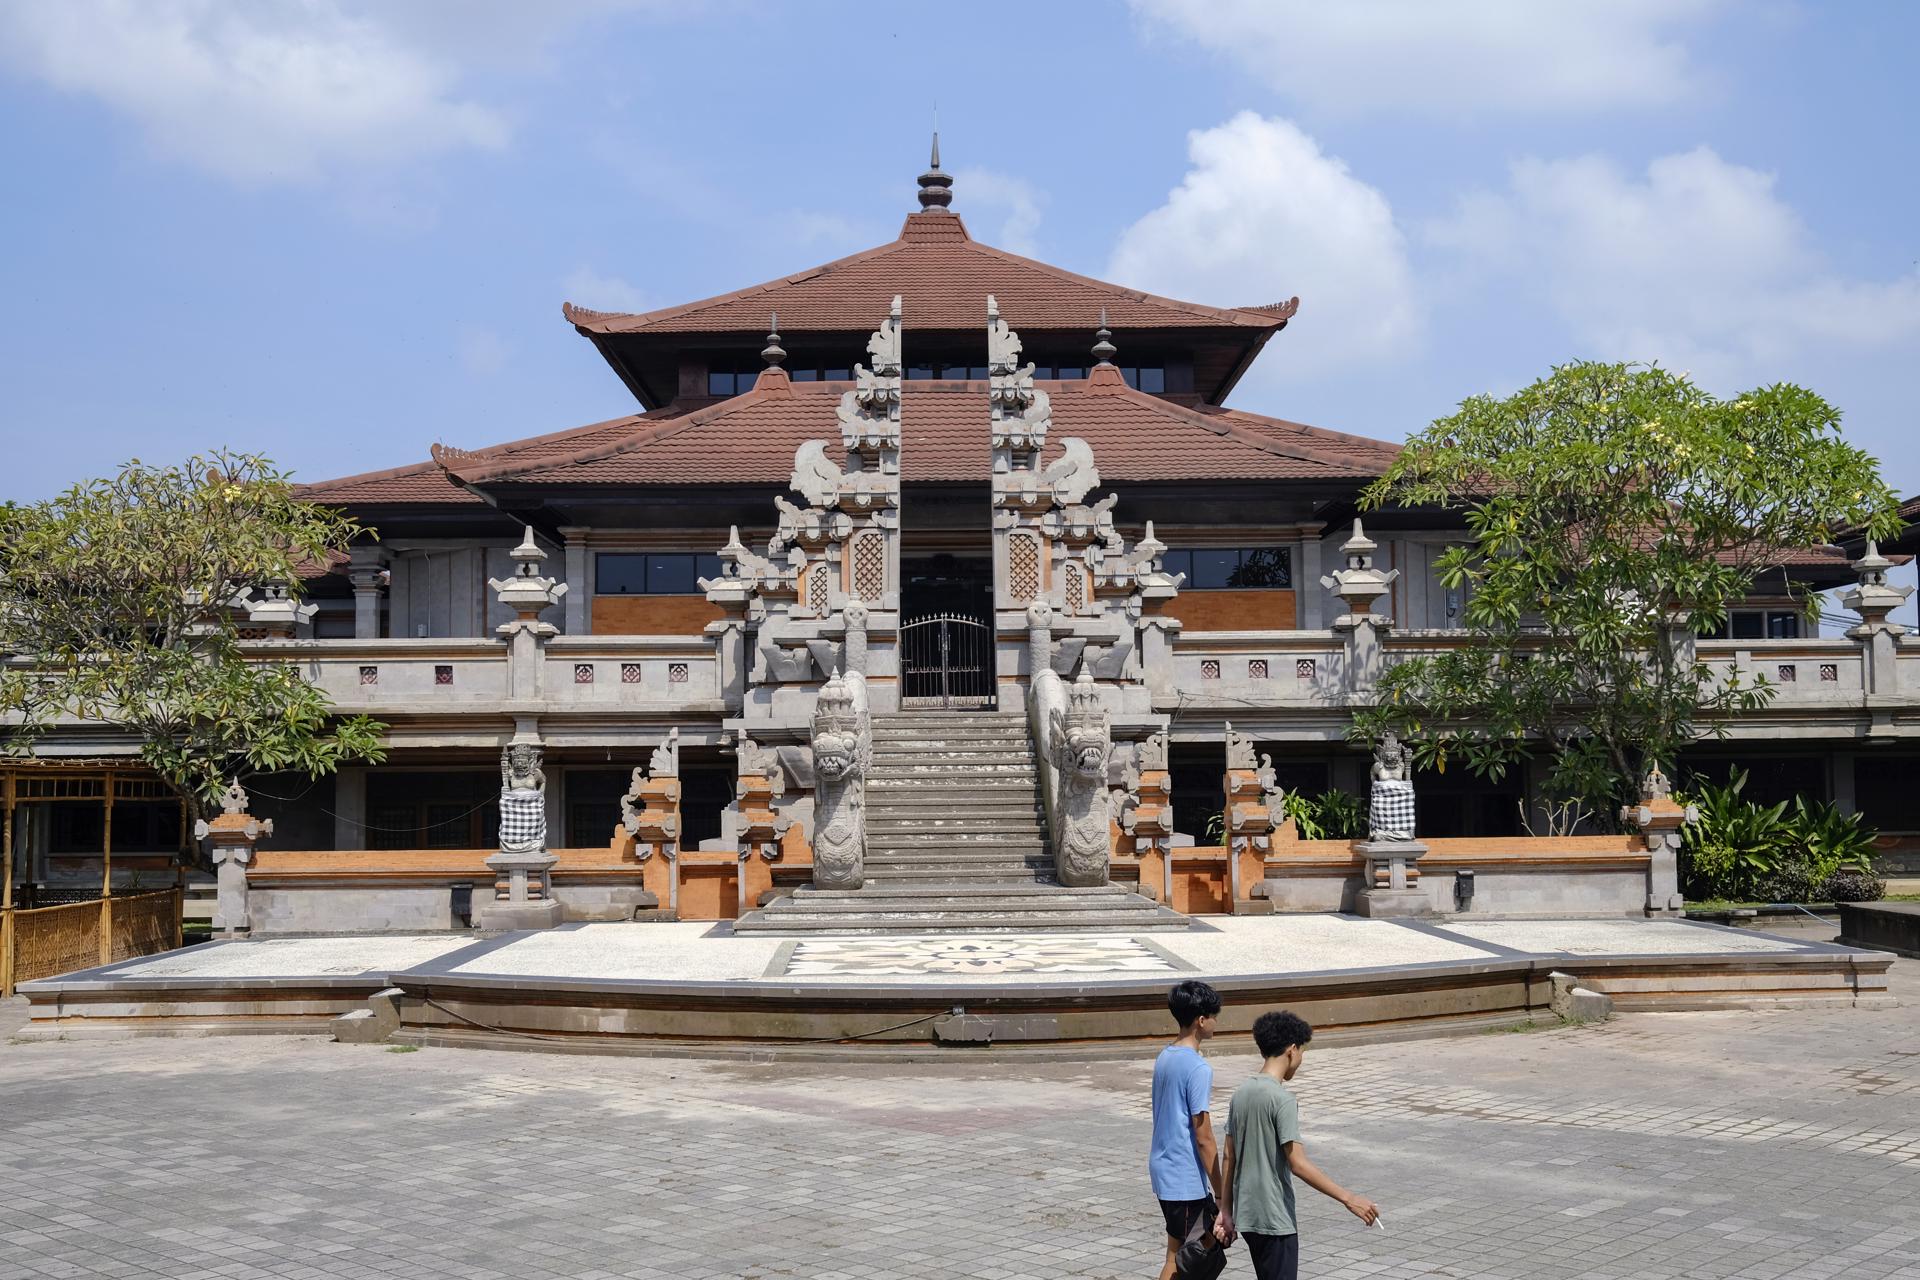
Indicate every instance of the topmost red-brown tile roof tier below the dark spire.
{"type": "Point", "coordinates": [944, 279]}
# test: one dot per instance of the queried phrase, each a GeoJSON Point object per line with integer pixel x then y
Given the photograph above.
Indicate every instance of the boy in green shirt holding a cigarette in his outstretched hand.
{"type": "Point", "coordinates": [1264, 1152]}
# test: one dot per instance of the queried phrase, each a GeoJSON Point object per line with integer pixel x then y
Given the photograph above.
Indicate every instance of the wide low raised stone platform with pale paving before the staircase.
{"type": "Point", "coordinates": [702, 989]}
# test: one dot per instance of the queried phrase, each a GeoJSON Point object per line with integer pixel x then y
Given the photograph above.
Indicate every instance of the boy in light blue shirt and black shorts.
{"type": "Point", "coordinates": [1186, 1164]}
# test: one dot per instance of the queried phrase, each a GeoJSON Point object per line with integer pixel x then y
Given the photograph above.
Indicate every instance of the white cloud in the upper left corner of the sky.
{"type": "Point", "coordinates": [258, 93]}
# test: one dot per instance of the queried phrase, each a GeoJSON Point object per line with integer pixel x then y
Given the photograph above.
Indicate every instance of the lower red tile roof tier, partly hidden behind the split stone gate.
{"type": "Point", "coordinates": [752, 440]}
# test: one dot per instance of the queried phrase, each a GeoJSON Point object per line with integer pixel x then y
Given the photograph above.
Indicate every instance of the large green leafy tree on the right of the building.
{"type": "Point", "coordinates": [1612, 510]}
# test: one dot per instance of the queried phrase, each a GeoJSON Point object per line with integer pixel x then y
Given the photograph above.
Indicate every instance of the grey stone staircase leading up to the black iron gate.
{"type": "Point", "coordinates": [957, 843]}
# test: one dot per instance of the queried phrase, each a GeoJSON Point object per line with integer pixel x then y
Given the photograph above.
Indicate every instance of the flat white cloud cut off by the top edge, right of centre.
{"type": "Point", "coordinates": [1451, 59]}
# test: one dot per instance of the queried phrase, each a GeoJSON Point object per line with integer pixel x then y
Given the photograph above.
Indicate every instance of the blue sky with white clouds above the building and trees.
{"type": "Point", "coordinates": [339, 233]}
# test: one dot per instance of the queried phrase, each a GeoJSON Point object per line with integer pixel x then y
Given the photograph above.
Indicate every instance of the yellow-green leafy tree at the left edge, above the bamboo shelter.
{"type": "Point", "coordinates": [118, 607]}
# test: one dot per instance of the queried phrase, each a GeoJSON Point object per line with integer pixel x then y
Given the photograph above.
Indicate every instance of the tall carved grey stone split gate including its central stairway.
{"type": "Point", "coordinates": [986, 809]}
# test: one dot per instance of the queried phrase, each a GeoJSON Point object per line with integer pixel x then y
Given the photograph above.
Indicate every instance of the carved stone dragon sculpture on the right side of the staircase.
{"type": "Point", "coordinates": [1074, 746]}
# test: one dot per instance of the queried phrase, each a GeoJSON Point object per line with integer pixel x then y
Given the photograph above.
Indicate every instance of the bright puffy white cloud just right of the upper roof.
{"type": "Point", "coordinates": [1264, 216]}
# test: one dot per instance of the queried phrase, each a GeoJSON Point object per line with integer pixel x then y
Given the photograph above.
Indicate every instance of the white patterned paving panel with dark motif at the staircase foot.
{"type": "Point", "coordinates": [982, 955]}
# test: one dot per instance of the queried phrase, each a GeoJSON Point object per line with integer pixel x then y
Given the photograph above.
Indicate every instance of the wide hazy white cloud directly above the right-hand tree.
{"type": "Point", "coordinates": [1696, 264]}
